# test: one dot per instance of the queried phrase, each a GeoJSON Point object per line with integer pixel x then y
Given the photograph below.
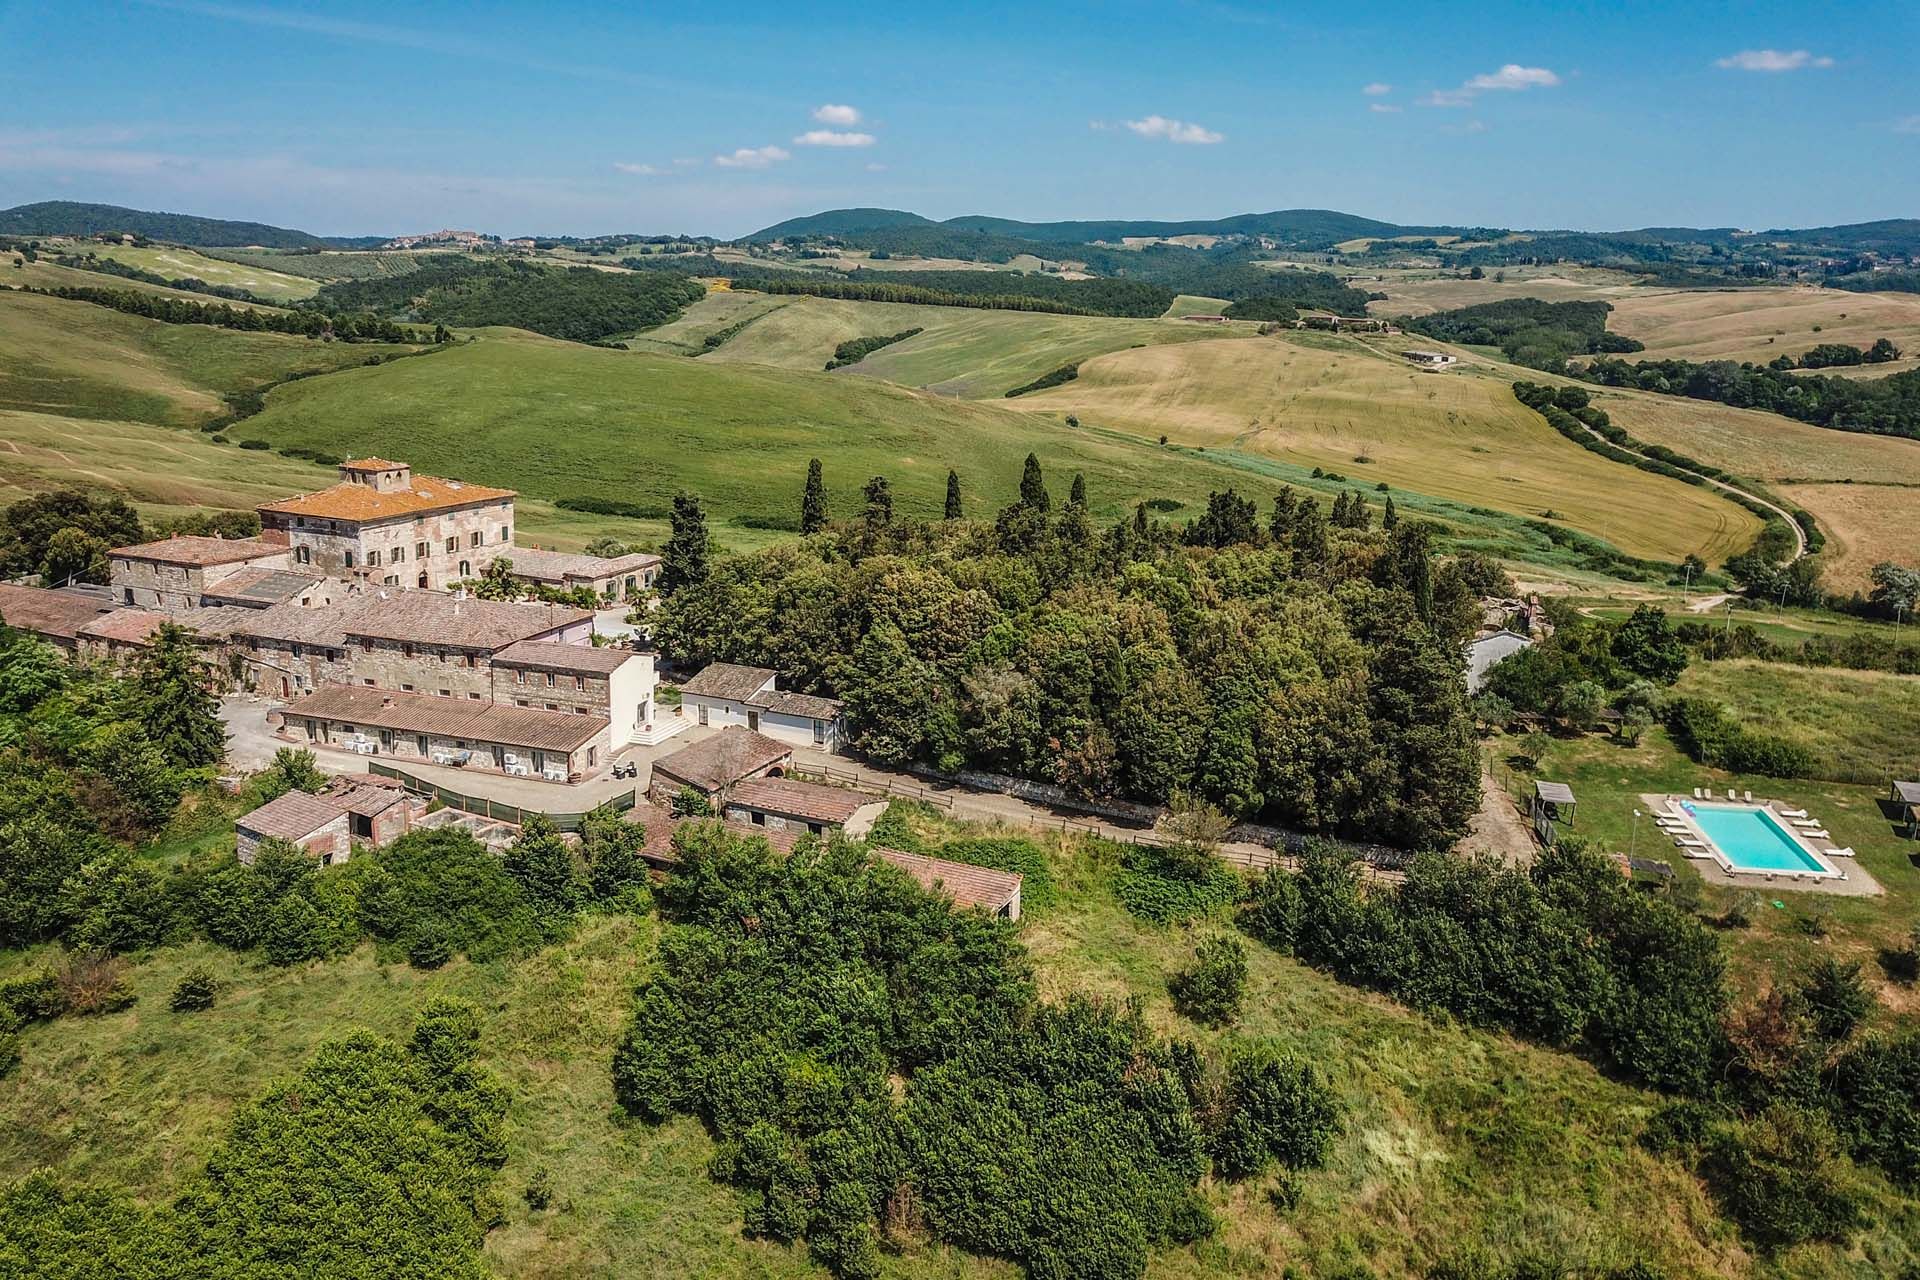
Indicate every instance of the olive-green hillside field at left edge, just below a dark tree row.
{"type": "Point", "coordinates": [78, 360]}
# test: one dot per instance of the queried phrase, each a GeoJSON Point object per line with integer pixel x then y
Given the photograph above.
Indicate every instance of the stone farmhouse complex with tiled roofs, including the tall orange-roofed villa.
{"type": "Point", "coordinates": [348, 611]}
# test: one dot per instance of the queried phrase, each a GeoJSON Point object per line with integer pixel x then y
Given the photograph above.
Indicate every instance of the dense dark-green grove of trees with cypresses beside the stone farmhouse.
{"type": "Point", "coordinates": [1284, 669]}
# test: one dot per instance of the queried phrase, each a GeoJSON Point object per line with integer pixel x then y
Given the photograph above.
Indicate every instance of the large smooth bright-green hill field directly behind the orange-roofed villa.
{"type": "Point", "coordinates": [560, 419]}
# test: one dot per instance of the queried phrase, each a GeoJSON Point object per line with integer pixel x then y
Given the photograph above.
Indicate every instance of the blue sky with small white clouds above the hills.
{"type": "Point", "coordinates": [358, 118]}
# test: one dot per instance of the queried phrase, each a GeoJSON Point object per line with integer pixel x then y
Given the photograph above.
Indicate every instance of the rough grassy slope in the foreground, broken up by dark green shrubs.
{"type": "Point", "coordinates": [1454, 1141]}
